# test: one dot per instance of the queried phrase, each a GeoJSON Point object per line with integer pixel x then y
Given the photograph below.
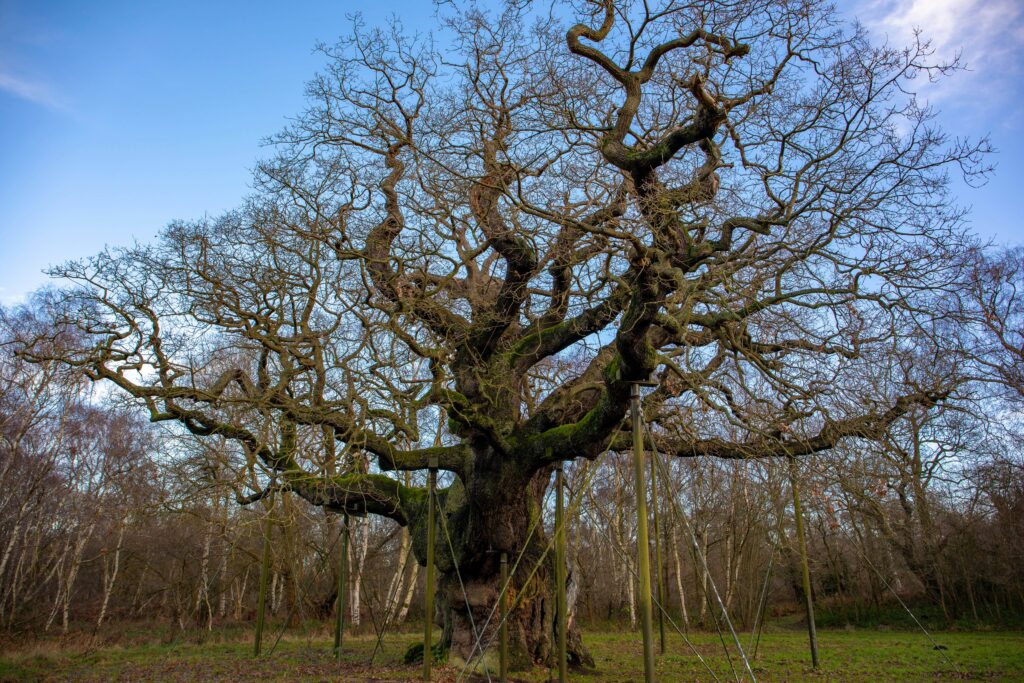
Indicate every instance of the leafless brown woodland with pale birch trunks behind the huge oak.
{"type": "Point", "coordinates": [106, 519]}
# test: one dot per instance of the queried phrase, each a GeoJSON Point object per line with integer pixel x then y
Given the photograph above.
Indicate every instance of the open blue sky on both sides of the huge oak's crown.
{"type": "Point", "coordinates": [117, 117]}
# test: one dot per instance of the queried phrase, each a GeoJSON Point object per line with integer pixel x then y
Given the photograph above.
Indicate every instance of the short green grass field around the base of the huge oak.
{"type": "Point", "coordinates": [847, 656]}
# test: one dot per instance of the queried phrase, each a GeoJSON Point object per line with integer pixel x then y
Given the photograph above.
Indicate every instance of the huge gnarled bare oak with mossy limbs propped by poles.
{"type": "Point", "coordinates": [744, 202]}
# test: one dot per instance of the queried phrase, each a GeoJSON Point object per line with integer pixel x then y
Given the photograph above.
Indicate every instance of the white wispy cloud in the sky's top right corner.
{"type": "Point", "coordinates": [989, 36]}
